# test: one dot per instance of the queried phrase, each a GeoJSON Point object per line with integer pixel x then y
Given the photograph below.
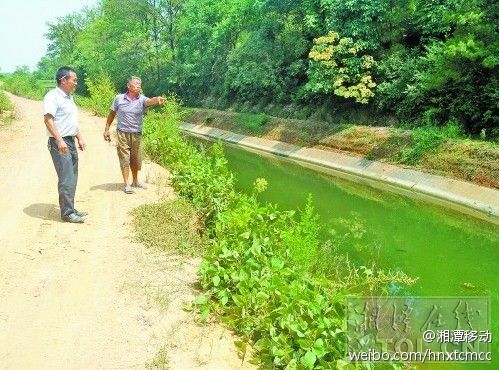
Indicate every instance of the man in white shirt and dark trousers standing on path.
{"type": "Point", "coordinates": [61, 120]}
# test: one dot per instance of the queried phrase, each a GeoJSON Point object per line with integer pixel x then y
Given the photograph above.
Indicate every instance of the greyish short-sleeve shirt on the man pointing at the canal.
{"type": "Point", "coordinates": [130, 112]}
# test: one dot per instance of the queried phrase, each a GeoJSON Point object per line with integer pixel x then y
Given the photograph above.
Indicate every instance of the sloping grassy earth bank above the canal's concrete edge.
{"type": "Point", "coordinates": [441, 151]}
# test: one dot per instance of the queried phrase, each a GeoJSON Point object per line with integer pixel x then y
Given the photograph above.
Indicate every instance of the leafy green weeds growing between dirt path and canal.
{"type": "Point", "coordinates": [261, 271]}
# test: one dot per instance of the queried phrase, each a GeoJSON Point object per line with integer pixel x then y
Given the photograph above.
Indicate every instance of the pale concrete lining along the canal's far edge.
{"type": "Point", "coordinates": [475, 200]}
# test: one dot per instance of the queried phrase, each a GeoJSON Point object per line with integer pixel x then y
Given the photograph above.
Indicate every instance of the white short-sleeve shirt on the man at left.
{"type": "Point", "coordinates": [63, 108]}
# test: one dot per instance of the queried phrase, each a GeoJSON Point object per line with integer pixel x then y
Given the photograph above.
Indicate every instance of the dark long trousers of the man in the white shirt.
{"type": "Point", "coordinates": [66, 166]}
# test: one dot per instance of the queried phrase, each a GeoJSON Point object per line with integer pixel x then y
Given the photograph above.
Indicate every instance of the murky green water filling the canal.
{"type": "Point", "coordinates": [453, 254]}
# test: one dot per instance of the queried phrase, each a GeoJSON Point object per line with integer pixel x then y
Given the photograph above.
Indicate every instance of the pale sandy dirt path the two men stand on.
{"type": "Point", "coordinates": [86, 296]}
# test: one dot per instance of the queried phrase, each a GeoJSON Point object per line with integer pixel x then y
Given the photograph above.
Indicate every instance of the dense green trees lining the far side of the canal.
{"type": "Point", "coordinates": [427, 63]}
